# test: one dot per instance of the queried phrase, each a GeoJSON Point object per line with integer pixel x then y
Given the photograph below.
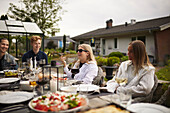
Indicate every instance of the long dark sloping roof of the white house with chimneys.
{"type": "Point", "coordinates": [153, 24]}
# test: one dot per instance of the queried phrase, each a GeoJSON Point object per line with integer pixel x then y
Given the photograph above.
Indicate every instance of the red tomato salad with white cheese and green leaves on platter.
{"type": "Point", "coordinates": [57, 101]}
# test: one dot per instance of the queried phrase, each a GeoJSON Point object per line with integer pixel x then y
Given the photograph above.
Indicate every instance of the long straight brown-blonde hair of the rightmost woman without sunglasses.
{"type": "Point", "coordinates": [140, 56]}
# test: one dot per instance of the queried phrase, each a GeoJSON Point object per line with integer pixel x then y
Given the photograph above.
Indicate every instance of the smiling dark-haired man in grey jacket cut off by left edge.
{"type": "Point", "coordinates": [6, 60]}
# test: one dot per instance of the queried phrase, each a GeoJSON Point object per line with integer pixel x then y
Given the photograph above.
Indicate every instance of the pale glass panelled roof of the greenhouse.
{"type": "Point", "coordinates": [18, 27]}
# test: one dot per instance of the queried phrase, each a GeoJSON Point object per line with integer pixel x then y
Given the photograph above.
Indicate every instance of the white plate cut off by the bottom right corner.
{"type": "Point", "coordinates": [148, 108]}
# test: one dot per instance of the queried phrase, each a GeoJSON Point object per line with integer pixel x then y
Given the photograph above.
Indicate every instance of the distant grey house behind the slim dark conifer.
{"type": "Point", "coordinates": [58, 41]}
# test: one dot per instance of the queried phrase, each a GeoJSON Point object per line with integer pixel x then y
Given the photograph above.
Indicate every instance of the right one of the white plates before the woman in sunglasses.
{"type": "Point", "coordinates": [87, 87]}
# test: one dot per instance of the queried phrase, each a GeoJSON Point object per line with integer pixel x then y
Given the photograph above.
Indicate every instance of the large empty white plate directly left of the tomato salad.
{"type": "Point", "coordinates": [15, 97]}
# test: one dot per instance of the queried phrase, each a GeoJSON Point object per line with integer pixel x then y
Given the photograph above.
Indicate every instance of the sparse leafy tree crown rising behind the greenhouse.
{"type": "Point", "coordinates": [46, 13]}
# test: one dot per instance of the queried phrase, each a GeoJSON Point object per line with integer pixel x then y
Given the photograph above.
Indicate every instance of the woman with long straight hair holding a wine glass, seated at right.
{"type": "Point", "coordinates": [138, 71]}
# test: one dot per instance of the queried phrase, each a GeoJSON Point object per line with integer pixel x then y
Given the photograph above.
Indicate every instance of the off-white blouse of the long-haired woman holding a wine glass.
{"type": "Point", "coordinates": [139, 85]}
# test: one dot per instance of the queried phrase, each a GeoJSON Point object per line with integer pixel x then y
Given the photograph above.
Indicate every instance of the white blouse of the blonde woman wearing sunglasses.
{"type": "Point", "coordinates": [86, 74]}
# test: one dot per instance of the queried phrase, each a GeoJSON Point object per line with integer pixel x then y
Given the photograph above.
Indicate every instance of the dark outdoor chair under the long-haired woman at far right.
{"type": "Point", "coordinates": [147, 98]}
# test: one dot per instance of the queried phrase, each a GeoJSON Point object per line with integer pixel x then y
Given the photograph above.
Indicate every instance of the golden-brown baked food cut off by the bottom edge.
{"type": "Point", "coordinates": [107, 109]}
